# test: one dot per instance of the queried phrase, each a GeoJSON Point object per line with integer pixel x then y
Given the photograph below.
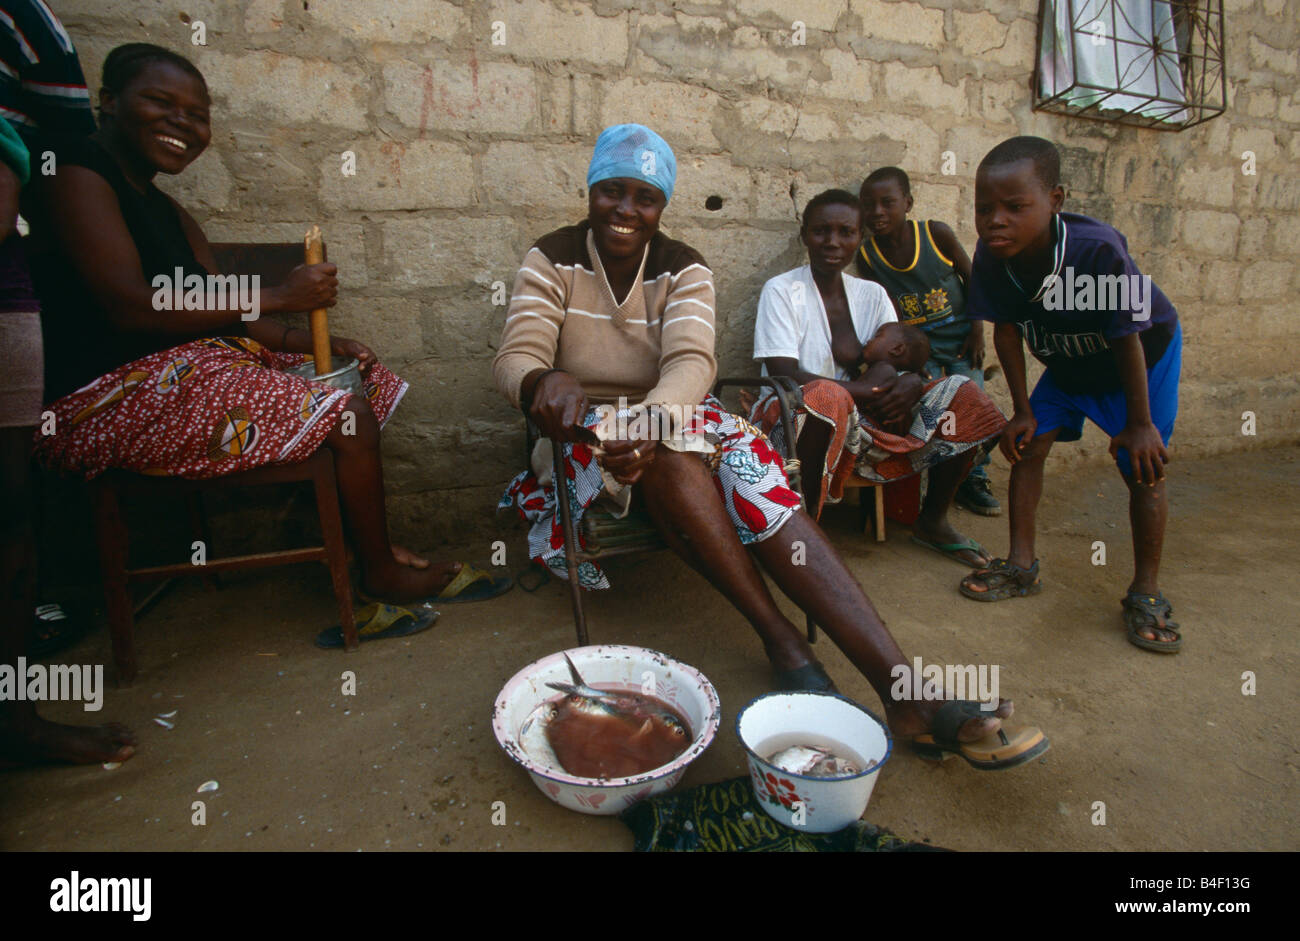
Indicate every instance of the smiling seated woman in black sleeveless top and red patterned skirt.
{"type": "Point", "coordinates": [194, 391]}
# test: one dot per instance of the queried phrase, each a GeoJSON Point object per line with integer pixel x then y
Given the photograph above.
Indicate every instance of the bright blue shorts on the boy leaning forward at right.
{"type": "Point", "coordinates": [1055, 409]}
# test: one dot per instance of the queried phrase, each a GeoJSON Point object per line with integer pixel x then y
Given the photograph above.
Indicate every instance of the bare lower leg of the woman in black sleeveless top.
{"type": "Point", "coordinates": [361, 489]}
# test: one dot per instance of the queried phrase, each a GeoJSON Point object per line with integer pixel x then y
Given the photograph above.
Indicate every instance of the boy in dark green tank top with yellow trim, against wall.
{"type": "Point", "coordinates": [926, 271]}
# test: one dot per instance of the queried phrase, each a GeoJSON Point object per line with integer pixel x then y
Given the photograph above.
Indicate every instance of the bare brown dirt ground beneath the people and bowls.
{"type": "Point", "coordinates": [1180, 757]}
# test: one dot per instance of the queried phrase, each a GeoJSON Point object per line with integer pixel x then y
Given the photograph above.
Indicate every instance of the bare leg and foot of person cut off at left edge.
{"type": "Point", "coordinates": [25, 738]}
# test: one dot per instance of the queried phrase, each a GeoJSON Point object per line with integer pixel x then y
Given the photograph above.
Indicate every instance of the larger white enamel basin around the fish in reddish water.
{"type": "Point", "coordinates": [682, 687]}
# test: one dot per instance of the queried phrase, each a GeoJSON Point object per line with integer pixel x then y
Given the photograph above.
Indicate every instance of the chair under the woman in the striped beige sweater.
{"type": "Point", "coordinates": [608, 537]}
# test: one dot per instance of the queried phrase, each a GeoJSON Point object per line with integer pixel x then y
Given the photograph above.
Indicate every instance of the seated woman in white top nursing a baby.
{"type": "Point", "coordinates": [814, 326]}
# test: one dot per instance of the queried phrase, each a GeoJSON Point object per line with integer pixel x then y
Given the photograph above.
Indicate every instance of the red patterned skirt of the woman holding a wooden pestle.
{"type": "Point", "coordinates": [206, 409]}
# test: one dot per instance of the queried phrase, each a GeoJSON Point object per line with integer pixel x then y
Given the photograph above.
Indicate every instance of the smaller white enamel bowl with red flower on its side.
{"type": "Point", "coordinates": [816, 805]}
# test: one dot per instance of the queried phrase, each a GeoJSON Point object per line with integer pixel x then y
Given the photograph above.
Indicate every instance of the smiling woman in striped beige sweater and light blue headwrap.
{"type": "Point", "coordinates": [571, 350]}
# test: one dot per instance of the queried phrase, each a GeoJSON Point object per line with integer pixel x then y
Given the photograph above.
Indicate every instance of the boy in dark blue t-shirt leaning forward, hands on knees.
{"type": "Point", "coordinates": [1112, 346]}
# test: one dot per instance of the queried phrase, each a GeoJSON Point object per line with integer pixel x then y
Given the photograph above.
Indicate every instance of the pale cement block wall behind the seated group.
{"type": "Point", "coordinates": [473, 125]}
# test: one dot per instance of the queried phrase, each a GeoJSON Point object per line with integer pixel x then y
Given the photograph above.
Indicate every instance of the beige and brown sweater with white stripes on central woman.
{"type": "Point", "coordinates": [657, 348]}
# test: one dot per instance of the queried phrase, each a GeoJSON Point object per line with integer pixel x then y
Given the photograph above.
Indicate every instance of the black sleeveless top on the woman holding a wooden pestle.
{"type": "Point", "coordinates": [81, 342]}
